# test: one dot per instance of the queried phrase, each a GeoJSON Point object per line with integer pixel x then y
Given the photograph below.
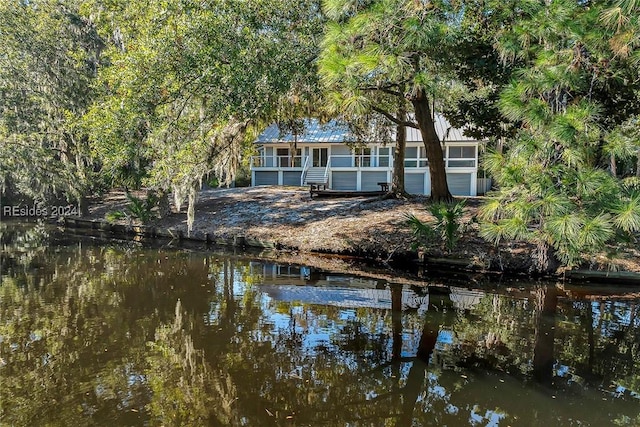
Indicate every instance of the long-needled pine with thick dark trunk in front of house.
{"type": "Point", "coordinates": [379, 54]}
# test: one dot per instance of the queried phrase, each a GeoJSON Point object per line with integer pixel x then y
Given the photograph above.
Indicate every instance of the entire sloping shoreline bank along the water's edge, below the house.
{"type": "Point", "coordinates": [286, 219]}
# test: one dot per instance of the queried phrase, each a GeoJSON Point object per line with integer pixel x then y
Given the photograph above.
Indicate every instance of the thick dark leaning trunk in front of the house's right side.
{"type": "Point", "coordinates": [439, 187]}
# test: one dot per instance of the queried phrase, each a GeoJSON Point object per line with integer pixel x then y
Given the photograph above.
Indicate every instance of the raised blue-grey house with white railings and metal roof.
{"type": "Point", "coordinates": [321, 155]}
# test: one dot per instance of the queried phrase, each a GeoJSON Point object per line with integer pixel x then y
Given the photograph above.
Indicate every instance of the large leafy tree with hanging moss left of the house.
{"type": "Point", "coordinates": [189, 82]}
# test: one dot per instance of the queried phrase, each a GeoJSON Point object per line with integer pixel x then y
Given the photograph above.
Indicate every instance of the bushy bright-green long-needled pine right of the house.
{"type": "Point", "coordinates": [570, 96]}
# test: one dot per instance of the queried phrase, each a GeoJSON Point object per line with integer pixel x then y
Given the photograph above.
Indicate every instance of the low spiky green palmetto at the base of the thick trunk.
{"type": "Point", "coordinates": [446, 228]}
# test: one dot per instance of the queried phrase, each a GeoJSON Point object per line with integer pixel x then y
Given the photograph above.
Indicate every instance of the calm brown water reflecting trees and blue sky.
{"type": "Point", "coordinates": [120, 335]}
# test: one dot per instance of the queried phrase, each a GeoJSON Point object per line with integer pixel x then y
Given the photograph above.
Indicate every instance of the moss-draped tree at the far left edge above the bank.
{"type": "Point", "coordinates": [48, 62]}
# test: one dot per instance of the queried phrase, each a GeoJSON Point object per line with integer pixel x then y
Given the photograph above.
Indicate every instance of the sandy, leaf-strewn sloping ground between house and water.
{"type": "Point", "coordinates": [370, 227]}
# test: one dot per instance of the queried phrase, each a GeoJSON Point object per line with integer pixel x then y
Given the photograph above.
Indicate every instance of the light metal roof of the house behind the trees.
{"type": "Point", "coordinates": [333, 131]}
